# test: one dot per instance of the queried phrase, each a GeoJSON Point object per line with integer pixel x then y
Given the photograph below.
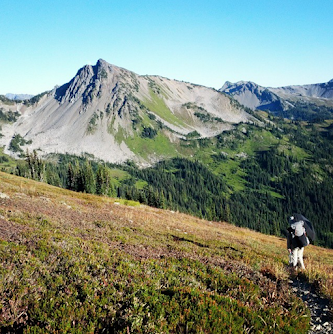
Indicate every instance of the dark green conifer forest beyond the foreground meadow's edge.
{"type": "Point", "coordinates": [276, 183]}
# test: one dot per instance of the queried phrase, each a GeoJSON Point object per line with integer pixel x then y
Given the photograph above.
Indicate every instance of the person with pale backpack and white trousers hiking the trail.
{"type": "Point", "coordinates": [296, 240]}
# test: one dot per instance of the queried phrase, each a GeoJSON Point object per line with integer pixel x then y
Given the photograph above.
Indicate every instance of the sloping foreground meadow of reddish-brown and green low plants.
{"type": "Point", "coordinates": [82, 263]}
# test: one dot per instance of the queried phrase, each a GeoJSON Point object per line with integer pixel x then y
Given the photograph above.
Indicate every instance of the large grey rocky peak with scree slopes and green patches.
{"type": "Point", "coordinates": [115, 115]}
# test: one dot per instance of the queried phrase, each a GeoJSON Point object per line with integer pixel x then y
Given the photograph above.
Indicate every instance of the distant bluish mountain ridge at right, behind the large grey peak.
{"type": "Point", "coordinates": [300, 101]}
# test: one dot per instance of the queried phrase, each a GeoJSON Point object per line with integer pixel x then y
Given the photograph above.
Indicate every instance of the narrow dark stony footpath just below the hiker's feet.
{"type": "Point", "coordinates": [321, 314]}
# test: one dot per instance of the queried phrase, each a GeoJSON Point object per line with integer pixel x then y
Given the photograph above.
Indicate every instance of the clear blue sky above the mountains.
{"type": "Point", "coordinates": [273, 43]}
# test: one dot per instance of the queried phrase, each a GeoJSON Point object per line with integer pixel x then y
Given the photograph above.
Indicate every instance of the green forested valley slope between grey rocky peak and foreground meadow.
{"type": "Point", "coordinates": [252, 176]}
